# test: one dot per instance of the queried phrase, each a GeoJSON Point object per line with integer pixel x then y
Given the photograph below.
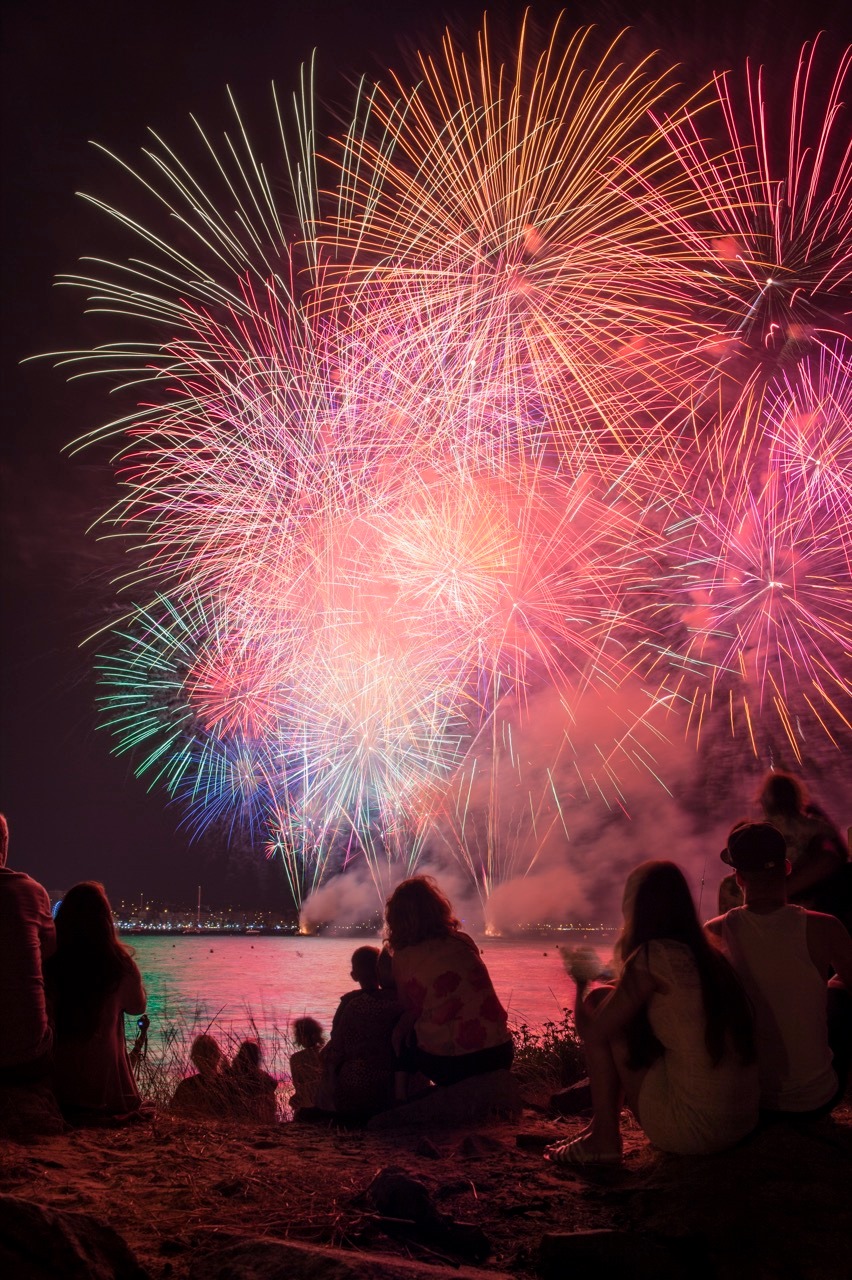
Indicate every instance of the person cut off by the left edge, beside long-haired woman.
{"type": "Point", "coordinates": [28, 940]}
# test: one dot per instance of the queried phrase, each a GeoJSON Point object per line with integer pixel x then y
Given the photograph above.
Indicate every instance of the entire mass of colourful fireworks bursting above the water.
{"type": "Point", "coordinates": [465, 438]}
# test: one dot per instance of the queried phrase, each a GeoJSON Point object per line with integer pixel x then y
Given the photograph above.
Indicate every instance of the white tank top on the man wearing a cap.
{"type": "Point", "coordinates": [789, 995]}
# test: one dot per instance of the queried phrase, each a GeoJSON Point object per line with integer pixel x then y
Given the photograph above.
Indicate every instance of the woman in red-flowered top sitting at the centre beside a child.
{"type": "Point", "coordinates": [454, 1025]}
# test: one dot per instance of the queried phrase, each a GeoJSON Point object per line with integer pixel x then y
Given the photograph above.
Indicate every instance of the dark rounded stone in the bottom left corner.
{"type": "Point", "coordinates": [39, 1244]}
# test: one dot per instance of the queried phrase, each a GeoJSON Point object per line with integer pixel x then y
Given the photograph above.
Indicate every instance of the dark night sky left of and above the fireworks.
{"type": "Point", "coordinates": [97, 71]}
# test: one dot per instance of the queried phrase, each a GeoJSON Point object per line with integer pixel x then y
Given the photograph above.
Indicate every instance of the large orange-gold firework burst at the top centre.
{"type": "Point", "coordinates": [487, 203]}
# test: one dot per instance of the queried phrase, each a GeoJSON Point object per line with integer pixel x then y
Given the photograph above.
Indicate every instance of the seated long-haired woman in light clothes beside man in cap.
{"type": "Point", "coordinates": [674, 1036]}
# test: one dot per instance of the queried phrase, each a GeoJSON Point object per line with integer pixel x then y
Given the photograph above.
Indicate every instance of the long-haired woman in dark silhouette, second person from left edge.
{"type": "Point", "coordinates": [93, 981]}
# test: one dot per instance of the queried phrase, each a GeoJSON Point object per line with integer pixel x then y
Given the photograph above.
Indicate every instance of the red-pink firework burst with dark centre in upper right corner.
{"type": "Point", "coordinates": [767, 212]}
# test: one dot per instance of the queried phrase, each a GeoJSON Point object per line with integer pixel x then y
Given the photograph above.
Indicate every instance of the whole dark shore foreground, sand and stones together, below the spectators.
{"type": "Point", "coordinates": [190, 1200]}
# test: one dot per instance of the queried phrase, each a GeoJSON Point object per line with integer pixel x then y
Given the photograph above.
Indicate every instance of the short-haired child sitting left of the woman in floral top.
{"type": "Point", "coordinates": [360, 1059]}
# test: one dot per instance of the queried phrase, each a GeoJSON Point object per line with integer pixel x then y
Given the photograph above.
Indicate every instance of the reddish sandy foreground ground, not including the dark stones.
{"type": "Point", "coordinates": [777, 1208]}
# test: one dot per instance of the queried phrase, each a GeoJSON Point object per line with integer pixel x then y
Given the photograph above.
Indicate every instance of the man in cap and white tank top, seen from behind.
{"type": "Point", "coordinates": [785, 957]}
